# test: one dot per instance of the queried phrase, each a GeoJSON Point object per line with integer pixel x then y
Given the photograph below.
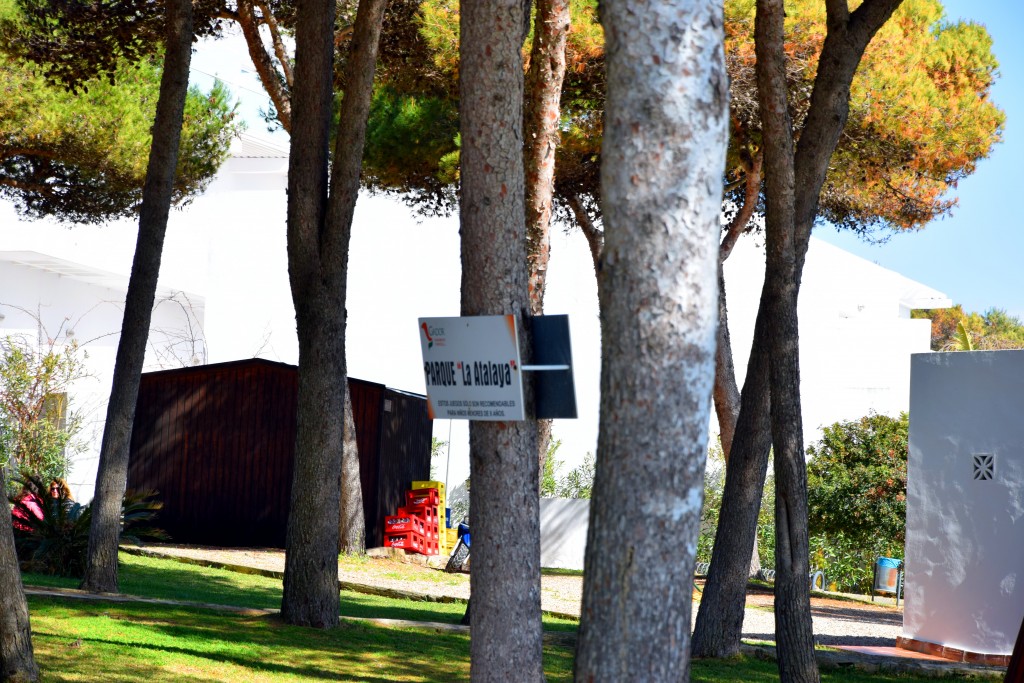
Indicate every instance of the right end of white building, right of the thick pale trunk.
{"type": "Point", "coordinates": [856, 345]}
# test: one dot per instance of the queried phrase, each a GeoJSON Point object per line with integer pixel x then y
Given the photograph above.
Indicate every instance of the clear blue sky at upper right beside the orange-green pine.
{"type": "Point", "coordinates": [975, 257]}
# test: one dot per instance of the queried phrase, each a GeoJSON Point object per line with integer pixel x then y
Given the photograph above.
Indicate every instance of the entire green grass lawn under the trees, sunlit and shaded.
{"type": "Point", "coordinates": [78, 641]}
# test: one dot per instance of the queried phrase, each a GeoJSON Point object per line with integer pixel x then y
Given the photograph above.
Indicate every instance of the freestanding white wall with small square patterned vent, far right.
{"type": "Point", "coordinates": [965, 520]}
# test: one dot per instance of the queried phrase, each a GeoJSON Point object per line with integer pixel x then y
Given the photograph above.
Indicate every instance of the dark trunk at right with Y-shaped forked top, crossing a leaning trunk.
{"type": "Point", "coordinates": [794, 183]}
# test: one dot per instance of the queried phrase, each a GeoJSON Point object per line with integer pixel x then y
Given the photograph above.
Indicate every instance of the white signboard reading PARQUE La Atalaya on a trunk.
{"type": "Point", "coordinates": [472, 368]}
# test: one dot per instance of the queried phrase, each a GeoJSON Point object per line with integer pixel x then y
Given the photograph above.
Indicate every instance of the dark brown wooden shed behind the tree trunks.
{"type": "Point", "coordinates": [219, 443]}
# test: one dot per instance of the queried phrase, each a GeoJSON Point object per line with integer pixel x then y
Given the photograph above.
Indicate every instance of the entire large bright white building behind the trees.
{"type": "Point", "coordinates": [226, 266]}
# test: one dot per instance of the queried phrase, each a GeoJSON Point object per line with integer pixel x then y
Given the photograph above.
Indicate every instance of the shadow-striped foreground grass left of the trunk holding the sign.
{"type": "Point", "coordinates": [158, 644]}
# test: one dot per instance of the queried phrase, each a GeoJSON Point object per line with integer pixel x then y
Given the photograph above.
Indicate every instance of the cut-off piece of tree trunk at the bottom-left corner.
{"type": "Point", "coordinates": [17, 660]}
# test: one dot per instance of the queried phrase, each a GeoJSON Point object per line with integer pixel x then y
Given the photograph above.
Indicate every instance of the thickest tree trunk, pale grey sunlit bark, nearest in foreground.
{"type": "Point", "coordinates": [667, 91]}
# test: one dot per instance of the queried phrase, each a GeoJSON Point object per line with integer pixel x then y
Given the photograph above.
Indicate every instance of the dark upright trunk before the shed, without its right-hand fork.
{"type": "Point", "coordinates": [311, 587]}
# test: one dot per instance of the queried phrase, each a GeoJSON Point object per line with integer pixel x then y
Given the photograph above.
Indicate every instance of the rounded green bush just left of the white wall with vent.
{"type": "Point", "coordinates": [857, 495]}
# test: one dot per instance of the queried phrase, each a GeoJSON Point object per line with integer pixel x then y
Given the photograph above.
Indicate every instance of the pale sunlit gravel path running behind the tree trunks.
{"type": "Point", "coordinates": [836, 622]}
